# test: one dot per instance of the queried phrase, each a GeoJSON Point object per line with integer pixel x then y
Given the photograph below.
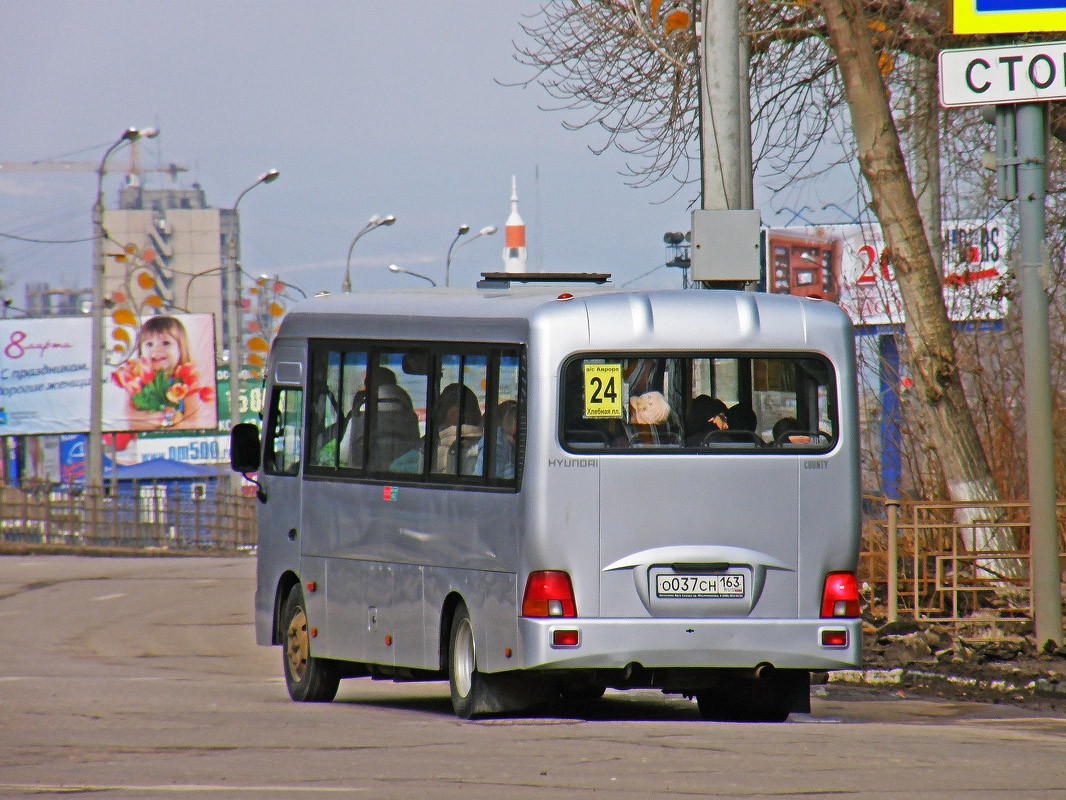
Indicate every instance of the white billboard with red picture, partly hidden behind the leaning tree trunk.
{"type": "Point", "coordinates": [850, 265]}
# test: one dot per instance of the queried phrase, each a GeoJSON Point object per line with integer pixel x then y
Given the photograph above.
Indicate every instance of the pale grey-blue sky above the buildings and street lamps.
{"type": "Point", "coordinates": [390, 108]}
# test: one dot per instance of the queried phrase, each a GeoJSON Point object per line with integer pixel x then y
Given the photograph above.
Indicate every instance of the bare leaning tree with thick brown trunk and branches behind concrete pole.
{"type": "Point", "coordinates": [821, 71]}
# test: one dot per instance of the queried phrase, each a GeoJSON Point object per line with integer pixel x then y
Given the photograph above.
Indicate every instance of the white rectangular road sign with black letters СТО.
{"type": "Point", "coordinates": [984, 76]}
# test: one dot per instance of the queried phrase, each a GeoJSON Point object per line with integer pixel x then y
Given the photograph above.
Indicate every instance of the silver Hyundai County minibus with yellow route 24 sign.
{"type": "Point", "coordinates": [540, 491]}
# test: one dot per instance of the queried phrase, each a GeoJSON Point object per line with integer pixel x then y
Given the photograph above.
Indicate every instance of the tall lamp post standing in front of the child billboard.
{"type": "Point", "coordinates": [94, 454]}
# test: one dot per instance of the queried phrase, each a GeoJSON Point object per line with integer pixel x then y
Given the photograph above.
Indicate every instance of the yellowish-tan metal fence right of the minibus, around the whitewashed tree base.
{"type": "Point", "coordinates": [950, 563]}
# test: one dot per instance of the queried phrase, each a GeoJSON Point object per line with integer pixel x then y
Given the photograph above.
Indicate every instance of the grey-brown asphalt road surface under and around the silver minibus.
{"type": "Point", "coordinates": [140, 678]}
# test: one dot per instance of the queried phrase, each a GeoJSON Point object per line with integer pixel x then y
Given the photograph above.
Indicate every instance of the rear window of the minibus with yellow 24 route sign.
{"type": "Point", "coordinates": [704, 404]}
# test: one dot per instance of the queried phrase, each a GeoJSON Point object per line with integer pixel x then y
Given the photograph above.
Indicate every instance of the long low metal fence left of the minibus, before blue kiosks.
{"type": "Point", "coordinates": [142, 516]}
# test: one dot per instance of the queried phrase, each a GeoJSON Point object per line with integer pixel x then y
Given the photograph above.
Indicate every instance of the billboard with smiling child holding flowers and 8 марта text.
{"type": "Point", "coordinates": [163, 378]}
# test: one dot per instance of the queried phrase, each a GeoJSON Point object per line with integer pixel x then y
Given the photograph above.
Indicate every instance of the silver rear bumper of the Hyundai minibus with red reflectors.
{"type": "Point", "coordinates": [616, 644]}
